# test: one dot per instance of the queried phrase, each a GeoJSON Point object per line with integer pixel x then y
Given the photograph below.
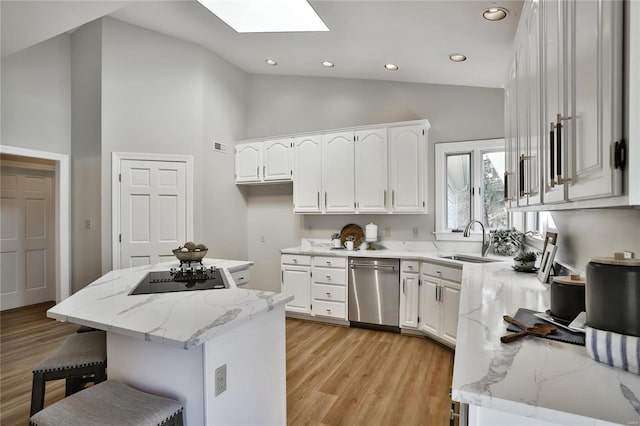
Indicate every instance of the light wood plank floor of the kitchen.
{"type": "Point", "coordinates": [335, 375]}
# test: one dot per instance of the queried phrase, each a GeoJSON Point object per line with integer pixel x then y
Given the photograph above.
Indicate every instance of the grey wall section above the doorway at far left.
{"type": "Point", "coordinates": [36, 109]}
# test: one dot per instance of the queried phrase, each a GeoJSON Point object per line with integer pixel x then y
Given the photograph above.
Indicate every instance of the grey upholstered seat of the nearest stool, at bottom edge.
{"type": "Point", "coordinates": [109, 403]}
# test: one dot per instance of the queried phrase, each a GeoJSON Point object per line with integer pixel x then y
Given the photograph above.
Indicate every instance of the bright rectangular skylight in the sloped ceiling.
{"type": "Point", "coordinates": [266, 16]}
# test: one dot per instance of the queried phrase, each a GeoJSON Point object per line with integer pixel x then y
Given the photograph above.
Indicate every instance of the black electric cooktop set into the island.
{"type": "Point", "coordinates": [180, 280]}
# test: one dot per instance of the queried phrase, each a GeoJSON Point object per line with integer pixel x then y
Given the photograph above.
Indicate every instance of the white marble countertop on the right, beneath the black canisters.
{"type": "Point", "coordinates": [538, 378]}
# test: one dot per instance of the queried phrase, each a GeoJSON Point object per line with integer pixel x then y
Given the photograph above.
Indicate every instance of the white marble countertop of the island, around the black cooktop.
{"type": "Point", "coordinates": [183, 319]}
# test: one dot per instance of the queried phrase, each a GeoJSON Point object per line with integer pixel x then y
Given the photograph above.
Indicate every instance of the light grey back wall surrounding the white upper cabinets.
{"type": "Point", "coordinates": [282, 105]}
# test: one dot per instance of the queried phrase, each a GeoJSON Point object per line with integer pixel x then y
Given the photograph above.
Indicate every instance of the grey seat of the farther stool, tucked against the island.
{"type": "Point", "coordinates": [77, 350]}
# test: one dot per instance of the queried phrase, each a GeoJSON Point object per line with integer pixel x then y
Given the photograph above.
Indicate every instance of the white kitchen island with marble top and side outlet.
{"type": "Point", "coordinates": [171, 344]}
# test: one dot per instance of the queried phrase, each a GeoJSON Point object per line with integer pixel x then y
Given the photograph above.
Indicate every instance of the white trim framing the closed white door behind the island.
{"type": "Point", "coordinates": [116, 159]}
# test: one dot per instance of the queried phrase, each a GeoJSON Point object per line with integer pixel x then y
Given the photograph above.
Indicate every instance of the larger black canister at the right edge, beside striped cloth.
{"type": "Point", "coordinates": [613, 295]}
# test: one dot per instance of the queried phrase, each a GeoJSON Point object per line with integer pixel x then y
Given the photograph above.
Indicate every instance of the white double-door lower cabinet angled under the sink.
{"type": "Point", "coordinates": [439, 301]}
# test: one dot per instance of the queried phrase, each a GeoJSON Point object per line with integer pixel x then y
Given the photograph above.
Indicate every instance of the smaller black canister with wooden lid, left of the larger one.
{"type": "Point", "coordinates": [567, 297]}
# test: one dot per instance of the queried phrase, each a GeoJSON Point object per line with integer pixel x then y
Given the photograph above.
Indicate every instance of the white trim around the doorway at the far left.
{"type": "Point", "coordinates": [62, 210]}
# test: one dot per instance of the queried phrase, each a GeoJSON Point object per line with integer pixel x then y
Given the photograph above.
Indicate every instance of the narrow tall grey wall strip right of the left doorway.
{"type": "Point", "coordinates": [86, 53]}
